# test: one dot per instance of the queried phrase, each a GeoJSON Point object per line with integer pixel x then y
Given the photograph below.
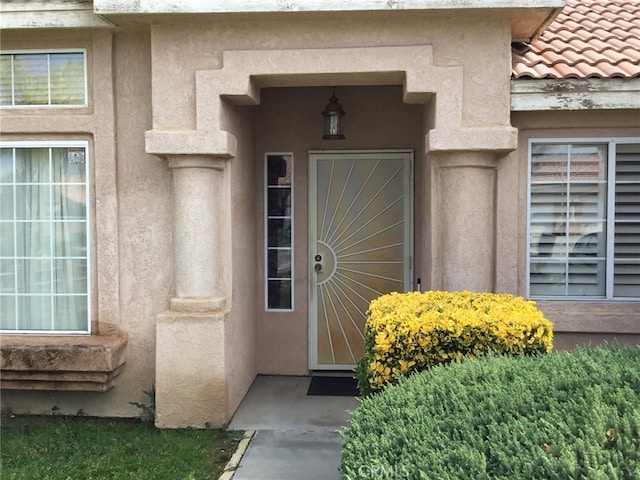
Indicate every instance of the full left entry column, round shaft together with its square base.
{"type": "Point", "coordinates": [190, 337]}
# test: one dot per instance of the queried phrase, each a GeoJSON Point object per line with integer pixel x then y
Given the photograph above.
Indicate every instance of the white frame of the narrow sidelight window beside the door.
{"type": "Point", "coordinates": [266, 218]}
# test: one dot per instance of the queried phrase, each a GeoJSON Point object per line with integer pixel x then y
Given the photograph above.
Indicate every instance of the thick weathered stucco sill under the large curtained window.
{"type": "Point", "coordinates": [71, 363]}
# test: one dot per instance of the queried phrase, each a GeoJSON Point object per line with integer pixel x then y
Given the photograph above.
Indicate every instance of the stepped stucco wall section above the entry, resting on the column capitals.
{"type": "Point", "coordinates": [478, 41]}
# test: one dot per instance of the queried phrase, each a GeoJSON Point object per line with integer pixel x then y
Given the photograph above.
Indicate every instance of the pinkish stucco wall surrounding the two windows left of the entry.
{"type": "Point", "coordinates": [130, 207]}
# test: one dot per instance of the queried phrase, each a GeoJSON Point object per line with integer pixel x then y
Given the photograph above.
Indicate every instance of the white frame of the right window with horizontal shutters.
{"type": "Point", "coordinates": [611, 143]}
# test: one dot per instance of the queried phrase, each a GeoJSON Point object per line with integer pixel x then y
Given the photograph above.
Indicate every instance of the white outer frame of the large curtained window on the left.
{"type": "Point", "coordinates": [52, 144]}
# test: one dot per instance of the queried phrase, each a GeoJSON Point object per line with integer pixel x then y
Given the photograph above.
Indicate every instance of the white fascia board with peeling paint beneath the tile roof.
{"type": "Point", "coordinates": [575, 94]}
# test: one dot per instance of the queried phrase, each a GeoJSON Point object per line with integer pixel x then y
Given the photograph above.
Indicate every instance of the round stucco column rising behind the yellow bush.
{"type": "Point", "coordinates": [467, 206]}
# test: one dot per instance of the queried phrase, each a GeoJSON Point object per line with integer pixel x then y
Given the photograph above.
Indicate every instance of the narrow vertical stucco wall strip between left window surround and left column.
{"type": "Point", "coordinates": [145, 222]}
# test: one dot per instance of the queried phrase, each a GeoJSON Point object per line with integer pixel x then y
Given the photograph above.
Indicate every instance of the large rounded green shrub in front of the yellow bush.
{"type": "Point", "coordinates": [568, 415]}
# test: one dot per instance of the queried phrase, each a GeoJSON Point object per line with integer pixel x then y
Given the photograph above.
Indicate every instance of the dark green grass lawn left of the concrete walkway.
{"type": "Point", "coordinates": [83, 448]}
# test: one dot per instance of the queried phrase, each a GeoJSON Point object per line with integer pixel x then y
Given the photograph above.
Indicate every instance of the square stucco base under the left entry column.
{"type": "Point", "coordinates": [190, 370]}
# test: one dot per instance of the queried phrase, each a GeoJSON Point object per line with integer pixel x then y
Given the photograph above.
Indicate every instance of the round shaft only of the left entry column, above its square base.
{"type": "Point", "coordinates": [197, 253]}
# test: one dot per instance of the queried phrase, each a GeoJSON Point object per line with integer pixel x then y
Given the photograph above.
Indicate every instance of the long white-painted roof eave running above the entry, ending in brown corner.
{"type": "Point", "coordinates": [528, 17]}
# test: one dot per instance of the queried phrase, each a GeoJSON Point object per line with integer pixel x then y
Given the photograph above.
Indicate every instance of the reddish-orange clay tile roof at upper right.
{"type": "Point", "coordinates": [588, 39]}
